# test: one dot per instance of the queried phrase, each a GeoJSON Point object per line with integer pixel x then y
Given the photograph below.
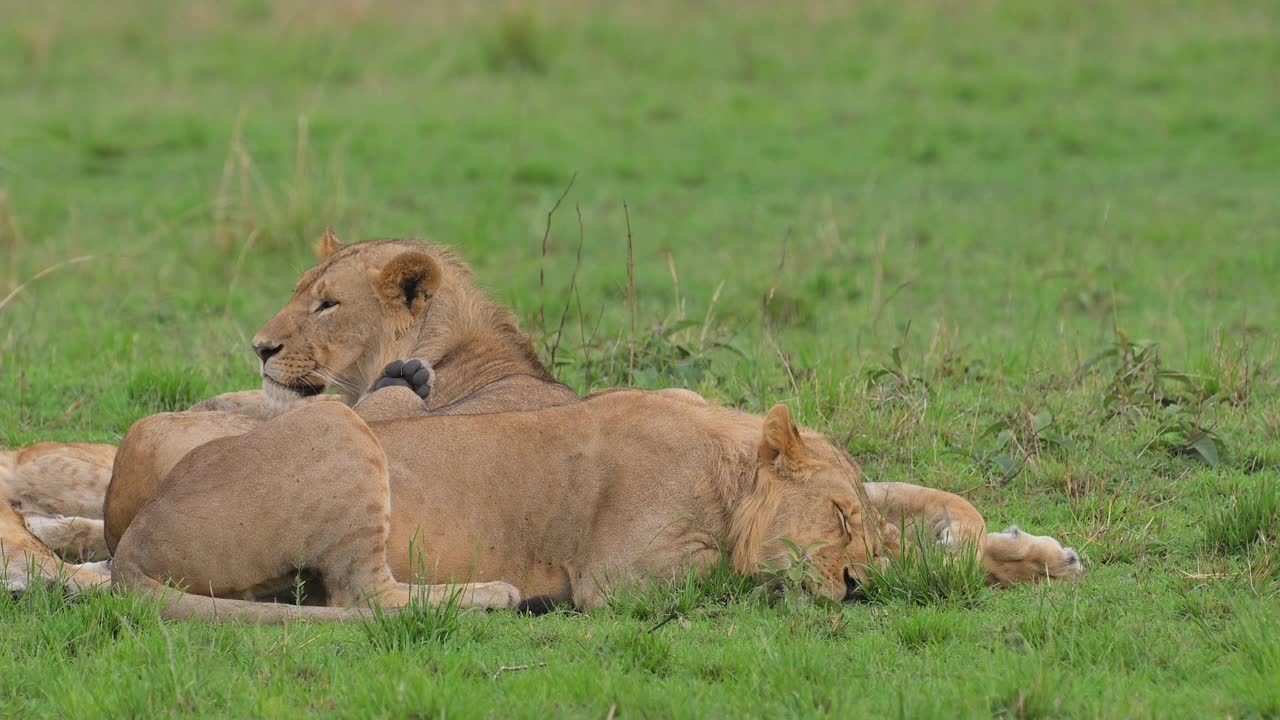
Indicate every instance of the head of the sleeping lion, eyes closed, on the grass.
{"type": "Point", "coordinates": [808, 494]}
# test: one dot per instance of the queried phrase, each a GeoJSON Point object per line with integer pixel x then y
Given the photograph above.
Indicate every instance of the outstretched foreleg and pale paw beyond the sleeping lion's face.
{"type": "Point", "coordinates": [1011, 558]}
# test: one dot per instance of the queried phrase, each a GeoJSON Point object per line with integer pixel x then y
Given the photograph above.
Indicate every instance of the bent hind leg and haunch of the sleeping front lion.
{"type": "Point", "coordinates": [305, 491]}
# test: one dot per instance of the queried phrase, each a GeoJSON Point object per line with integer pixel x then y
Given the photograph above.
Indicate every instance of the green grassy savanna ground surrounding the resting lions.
{"type": "Point", "coordinates": [1028, 253]}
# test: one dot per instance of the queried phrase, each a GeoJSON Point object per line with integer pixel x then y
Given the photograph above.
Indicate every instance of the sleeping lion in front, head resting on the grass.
{"type": "Point", "coordinates": [565, 504]}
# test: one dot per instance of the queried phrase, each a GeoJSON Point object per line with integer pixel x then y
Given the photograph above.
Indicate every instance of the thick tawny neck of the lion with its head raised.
{"type": "Point", "coordinates": [472, 343]}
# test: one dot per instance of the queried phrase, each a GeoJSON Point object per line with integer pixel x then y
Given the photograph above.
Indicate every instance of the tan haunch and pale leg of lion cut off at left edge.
{"type": "Point", "coordinates": [58, 489]}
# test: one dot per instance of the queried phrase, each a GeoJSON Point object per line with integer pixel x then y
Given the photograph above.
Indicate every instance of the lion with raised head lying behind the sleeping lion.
{"type": "Point", "coordinates": [353, 322]}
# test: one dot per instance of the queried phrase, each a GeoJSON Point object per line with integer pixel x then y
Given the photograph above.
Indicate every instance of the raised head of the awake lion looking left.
{"type": "Point", "coordinates": [349, 313]}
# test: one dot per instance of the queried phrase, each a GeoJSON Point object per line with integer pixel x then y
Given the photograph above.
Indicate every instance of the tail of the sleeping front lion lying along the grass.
{"type": "Point", "coordinates": [179, 605]}
